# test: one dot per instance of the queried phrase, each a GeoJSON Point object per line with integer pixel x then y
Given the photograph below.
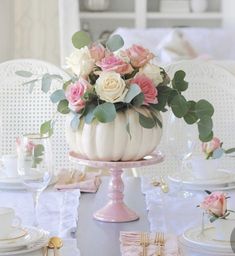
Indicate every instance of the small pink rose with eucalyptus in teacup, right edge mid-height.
{"type": "Point", "coordinates": [213, 149]}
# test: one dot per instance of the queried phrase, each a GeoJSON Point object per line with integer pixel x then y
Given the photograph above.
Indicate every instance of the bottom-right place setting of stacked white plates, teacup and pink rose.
{"type": "Point", "coordinates": [215, 234]}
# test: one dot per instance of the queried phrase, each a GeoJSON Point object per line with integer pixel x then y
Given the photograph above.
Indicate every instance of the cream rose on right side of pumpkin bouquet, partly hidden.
{"type": "Point", "coordinates": [153, 72]}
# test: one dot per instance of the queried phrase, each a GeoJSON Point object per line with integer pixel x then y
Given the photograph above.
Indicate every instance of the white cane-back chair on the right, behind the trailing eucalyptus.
{"type": "Point", "coordinates": [215, 83]}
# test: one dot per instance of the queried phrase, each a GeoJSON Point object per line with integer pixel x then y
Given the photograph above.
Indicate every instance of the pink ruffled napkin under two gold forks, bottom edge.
{"type": "Point", "coordinates": [130, 244]}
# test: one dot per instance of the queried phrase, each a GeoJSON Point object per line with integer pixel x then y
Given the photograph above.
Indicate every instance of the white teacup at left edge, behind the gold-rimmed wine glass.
{"type": "Point", "coordinates": [9, 165]}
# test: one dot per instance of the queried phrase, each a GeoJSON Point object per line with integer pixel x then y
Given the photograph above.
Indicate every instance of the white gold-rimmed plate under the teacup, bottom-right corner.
{"type": "Point", "coordinates": [195, 238]}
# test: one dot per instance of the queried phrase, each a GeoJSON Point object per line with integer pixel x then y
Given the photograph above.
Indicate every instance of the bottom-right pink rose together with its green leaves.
{"type": "Point", "coordinates": [215, 205]}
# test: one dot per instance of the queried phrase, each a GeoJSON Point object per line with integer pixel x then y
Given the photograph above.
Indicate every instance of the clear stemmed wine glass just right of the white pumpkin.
{"type": "Point", "coordinates": [181, 141]}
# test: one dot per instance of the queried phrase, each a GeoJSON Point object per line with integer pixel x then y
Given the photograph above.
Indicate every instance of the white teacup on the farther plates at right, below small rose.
{"type": "Point", "coordinates": [203, 168]}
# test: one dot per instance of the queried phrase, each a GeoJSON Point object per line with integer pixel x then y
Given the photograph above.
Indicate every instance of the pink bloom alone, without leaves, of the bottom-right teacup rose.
{"type": "Point", "coordinates": [215, 204]}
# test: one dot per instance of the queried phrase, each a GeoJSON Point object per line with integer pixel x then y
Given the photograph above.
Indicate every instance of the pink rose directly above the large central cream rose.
{"type": "Point", "coordinates": [114, 63]}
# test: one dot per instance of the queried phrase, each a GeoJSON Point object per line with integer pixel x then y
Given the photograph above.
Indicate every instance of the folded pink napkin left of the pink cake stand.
{"type": "Point", "coordinates": [75, 179]}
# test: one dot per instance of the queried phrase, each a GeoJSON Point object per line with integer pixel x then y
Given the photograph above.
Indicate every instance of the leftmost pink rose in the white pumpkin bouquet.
{"type": "Point", "coordinates": [74, 94]}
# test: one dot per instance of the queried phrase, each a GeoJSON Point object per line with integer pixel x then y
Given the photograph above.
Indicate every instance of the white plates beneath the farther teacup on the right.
{"type": "Point", "coordinates": [223, 179]}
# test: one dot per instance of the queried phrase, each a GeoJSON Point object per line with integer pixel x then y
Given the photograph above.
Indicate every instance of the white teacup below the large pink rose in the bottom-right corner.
{"type": "Point", "coordinates": [224, 228]}
